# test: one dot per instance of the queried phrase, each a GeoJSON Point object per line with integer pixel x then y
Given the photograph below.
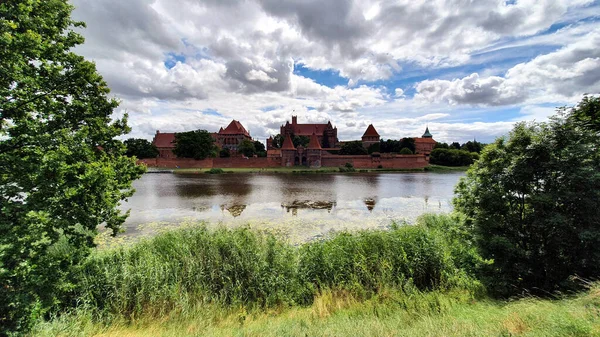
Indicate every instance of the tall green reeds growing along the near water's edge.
{"type": "Point", "coordinates": [182, 271]}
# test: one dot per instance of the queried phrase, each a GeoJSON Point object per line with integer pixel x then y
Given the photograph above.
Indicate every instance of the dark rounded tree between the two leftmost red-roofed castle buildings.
{"type": "Point", "coordinates": [197, 144]}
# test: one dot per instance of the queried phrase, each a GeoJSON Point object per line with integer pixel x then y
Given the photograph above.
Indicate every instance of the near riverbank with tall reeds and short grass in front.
{"type": "Point", "coordinates": [406, 281]}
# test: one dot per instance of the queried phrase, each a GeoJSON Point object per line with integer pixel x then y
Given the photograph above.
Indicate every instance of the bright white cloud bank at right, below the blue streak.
{"type": "Point", "coordinates": [560, 75]}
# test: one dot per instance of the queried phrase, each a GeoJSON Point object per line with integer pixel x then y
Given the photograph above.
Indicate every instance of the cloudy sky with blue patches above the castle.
{"type": "Point", "coordinates": [467, 69]}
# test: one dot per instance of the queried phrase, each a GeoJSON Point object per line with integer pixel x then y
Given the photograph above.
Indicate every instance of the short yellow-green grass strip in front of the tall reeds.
{"type": "Point", "coordinates": [390, 313]}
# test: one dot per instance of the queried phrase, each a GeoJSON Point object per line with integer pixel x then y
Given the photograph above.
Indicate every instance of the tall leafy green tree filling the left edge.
{"type": "Point", "coordinates": [62, 170]}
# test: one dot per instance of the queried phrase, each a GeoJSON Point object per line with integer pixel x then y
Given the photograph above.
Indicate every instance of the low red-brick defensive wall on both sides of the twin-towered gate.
{"type": "Point", "coordinates": [390, 161]}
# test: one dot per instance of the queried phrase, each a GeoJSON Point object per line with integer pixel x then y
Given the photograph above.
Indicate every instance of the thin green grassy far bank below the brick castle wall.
{"type": "Point", "coordinates": [323, 170]}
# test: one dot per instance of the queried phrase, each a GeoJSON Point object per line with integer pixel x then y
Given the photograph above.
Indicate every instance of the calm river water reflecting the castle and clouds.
{"type": "Point", "coordinates": [304, 206]}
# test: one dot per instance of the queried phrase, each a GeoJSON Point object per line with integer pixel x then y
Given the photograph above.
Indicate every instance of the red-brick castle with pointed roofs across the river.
{"type": "Point", "coordinates": [323, 142]}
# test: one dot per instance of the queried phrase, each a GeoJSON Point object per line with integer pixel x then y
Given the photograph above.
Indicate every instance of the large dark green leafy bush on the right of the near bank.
{"type": "Point", "coordinates": [533, 201]}
